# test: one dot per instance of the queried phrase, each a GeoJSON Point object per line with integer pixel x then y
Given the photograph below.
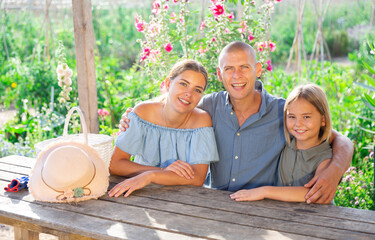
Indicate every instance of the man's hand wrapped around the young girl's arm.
{"type": "Point", "coordinates": [323, 185]}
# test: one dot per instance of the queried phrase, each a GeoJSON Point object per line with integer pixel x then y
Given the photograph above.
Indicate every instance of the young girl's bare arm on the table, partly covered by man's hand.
{"type": "Point", "coordinates": [286, 194]}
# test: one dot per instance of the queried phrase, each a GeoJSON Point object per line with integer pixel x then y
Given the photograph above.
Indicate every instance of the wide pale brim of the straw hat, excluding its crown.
{"type": "Point", "coordinates": [98, 186]}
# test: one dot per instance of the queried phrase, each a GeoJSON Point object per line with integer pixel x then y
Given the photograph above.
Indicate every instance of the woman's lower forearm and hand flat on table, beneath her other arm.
{"type": "Point", "coordinates": [163, 177]}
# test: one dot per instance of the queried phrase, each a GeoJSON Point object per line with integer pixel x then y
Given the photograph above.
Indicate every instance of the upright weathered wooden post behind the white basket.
{"type": "Point", "coordinates": [85, 45]}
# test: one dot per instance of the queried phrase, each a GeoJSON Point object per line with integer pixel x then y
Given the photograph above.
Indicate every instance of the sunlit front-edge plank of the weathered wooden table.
{"type": "Point", "coordinates": [35, 217]}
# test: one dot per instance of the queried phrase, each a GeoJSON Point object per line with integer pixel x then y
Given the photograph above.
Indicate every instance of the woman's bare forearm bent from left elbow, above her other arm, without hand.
{"type": "Point", "coordinates": [122, 166]}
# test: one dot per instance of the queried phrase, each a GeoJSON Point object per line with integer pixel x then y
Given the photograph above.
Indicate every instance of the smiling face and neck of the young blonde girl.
{"type": "Point", "coordinates": [304, 121]}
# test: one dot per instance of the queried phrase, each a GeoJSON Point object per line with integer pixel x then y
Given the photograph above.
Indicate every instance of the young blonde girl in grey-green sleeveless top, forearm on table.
{"type": "Point", "coordinates": [307, 119]}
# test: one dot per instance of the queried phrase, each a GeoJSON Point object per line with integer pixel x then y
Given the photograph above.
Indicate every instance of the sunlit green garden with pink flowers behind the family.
{"type": "Point", "coordinates": [138, 41]}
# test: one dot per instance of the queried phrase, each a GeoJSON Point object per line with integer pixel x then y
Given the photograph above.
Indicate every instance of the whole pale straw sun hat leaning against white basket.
{"type": "Point", "coordinates": [68, 172]}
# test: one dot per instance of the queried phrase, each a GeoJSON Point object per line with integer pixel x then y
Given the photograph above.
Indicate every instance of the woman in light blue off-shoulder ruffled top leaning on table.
{"type": "Point", "coordinates": [172, 140]}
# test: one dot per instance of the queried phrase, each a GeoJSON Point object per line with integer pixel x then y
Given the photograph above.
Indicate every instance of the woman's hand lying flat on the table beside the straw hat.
{"type": "Point", "coordinates": [130, 185]}
